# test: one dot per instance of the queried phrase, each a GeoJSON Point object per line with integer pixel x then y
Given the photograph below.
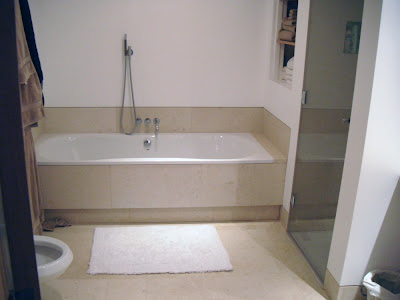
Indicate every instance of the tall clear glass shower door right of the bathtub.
{"type": "Point", "coordinates": [329, 82]}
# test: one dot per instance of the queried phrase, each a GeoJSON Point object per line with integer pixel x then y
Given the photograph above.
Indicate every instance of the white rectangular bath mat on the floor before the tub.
{"type": "Point", "coordinates": [157, 249]}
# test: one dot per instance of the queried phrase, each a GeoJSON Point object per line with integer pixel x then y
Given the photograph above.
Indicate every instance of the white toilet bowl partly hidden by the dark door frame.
{"type": "Point", "coordinates": [52, 257]}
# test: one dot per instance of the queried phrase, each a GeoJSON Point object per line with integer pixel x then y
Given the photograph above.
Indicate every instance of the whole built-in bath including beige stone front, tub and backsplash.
{"type": "Point", "coordinates": [171, 182]}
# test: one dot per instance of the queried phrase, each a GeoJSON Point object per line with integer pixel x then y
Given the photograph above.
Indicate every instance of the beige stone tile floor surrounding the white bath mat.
{"type": "Point", "coordinates": [267, 265]}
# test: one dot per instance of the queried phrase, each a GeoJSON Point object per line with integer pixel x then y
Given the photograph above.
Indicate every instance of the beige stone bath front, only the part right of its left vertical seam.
{"type": "Point", "coordinates": [196, 185]}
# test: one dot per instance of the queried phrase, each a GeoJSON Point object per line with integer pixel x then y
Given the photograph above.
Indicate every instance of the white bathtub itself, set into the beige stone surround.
{"type": "Point", "coordinates": [174, 148]}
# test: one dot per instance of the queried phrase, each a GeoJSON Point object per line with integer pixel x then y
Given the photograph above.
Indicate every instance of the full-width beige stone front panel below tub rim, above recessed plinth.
{"type": "Point", "coordinates": [161, 186]}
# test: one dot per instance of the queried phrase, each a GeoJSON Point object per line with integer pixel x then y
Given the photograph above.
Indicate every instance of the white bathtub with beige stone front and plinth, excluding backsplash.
{"type": "Point", "coordinates": [212, 174]}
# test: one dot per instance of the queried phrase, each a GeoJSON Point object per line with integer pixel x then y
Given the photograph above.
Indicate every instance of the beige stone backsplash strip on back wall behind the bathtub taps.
{"type": "Point", "coordinates": [173, 119]}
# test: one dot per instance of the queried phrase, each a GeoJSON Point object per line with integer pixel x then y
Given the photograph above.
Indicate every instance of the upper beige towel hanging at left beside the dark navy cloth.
{"type": "Point", "coordinates": [29, 84]}
